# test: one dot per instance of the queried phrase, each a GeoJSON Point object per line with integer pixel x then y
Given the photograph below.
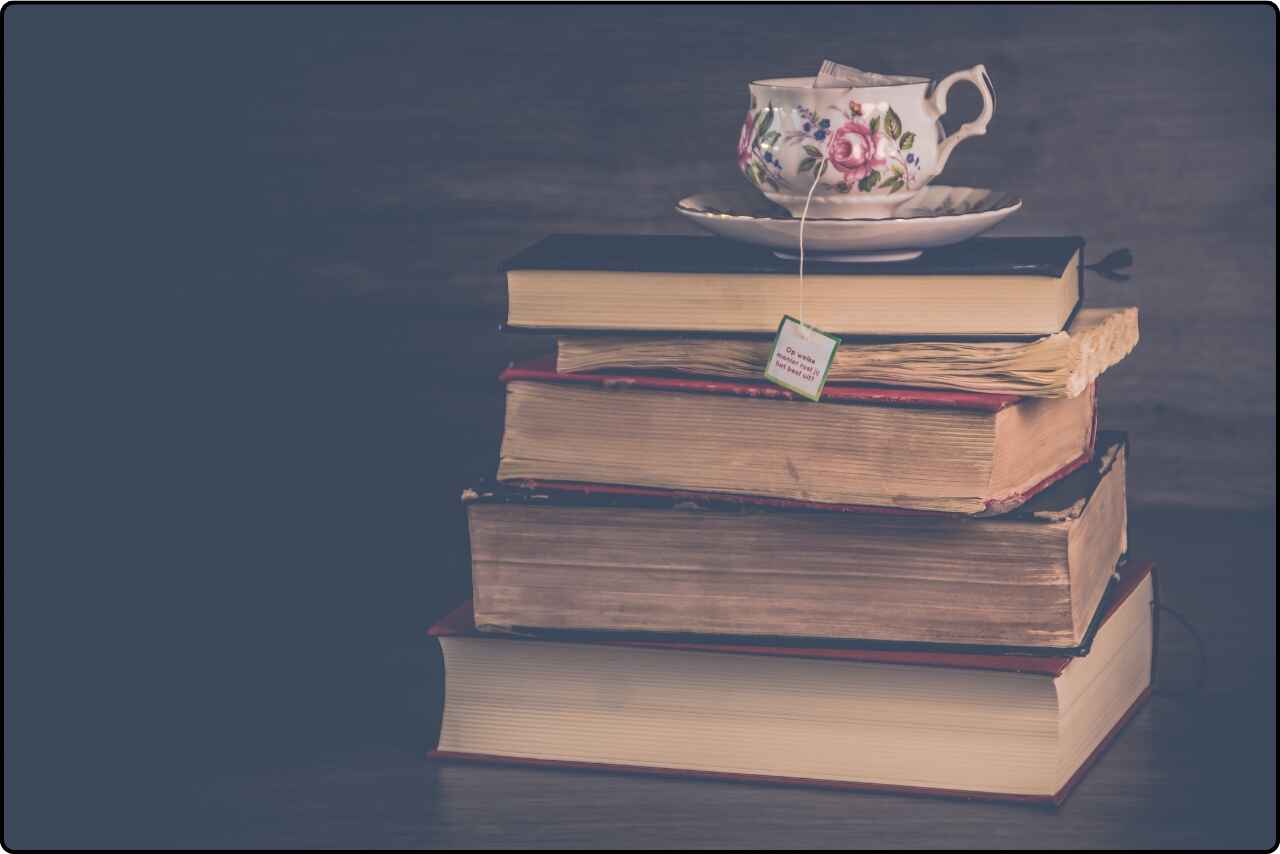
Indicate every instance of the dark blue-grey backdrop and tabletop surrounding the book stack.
{"type": "Point", "coordinates": [252, 294]}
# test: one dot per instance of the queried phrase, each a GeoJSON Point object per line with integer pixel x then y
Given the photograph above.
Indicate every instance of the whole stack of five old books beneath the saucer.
{"type": "Point", "coordinates": [917, 583]}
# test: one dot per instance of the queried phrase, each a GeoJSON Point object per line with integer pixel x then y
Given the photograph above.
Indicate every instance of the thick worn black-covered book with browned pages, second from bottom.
{"type": "Point", "coordinates": [668, 563]}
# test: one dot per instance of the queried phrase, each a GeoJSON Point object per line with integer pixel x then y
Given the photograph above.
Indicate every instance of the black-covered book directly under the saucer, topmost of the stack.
{"type": "Point", "coordinates": [1000, 286]}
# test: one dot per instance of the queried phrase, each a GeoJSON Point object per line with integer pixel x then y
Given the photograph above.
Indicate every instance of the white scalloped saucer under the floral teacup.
{"type": "Point", "coordinates": [939, 216]}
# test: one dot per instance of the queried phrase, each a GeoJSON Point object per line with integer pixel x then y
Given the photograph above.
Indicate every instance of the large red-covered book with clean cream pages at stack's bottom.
{"type": "Point", "coordinates": [963, 724]}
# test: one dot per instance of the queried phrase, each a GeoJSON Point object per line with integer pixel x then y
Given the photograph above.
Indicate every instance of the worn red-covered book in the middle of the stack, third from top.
{"type": "Point", "coordinates": [932, 450]}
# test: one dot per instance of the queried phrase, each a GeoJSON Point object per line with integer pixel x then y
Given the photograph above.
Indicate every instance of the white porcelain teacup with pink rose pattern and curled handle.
{"type": "Point", "coordinates": [883, 144]}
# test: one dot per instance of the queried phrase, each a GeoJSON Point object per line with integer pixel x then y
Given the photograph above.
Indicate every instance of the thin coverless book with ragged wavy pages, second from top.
{"type": "Point", "coordinates": [1058, 366]}
